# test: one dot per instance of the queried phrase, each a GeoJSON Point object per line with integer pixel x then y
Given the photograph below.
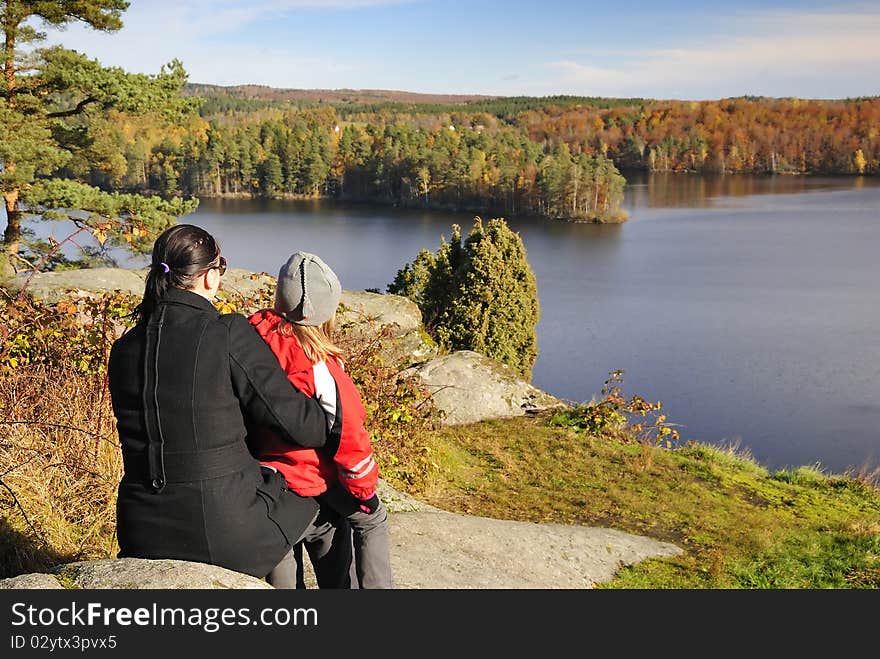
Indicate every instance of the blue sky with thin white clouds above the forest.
{"type": "Point", "coordinates": [672, 49]}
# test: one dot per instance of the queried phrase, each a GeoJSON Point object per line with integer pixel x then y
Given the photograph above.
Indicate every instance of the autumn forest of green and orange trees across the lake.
{"type": "Point", "coordinates": [559, 157]}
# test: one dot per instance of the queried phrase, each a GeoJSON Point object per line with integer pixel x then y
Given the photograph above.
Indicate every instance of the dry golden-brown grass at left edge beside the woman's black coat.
{"type": "Point", "coordinates": [60, 464]}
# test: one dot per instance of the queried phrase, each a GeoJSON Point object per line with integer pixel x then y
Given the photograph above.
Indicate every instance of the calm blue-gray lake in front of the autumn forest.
{"type": "Point", "coordinates": [747, 305]}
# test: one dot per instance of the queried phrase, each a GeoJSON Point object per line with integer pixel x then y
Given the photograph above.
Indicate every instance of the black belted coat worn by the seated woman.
{"type": "Point", "coordinates": [183, 386]}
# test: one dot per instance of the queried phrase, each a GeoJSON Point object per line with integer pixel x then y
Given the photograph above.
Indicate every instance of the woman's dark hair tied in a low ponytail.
{"type": "Point", "coordinates": [179, 254]}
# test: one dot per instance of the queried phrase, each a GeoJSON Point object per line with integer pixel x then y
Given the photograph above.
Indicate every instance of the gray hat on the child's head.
{"type": "Point", "coordinates": [308, 290]}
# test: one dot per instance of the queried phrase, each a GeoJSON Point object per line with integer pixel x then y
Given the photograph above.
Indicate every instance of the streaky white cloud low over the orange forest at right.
{"type": "Point", "coordinates": [776, 54]}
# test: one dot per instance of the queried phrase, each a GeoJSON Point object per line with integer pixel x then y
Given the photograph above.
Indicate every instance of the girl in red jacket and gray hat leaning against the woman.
{"type": "Point", "coordinates": [343, 475]}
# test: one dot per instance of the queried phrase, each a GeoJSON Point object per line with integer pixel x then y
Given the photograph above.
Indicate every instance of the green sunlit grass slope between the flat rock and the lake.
{"type": "Point", "coordinates": [740, 525]}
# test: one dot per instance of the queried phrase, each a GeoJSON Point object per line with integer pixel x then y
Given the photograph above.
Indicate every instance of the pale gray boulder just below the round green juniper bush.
{"type": "Point", "coordinates": [470, 387]}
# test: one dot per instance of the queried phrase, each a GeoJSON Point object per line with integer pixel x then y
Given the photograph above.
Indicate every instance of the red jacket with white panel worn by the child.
{"type": "Point", "coordinates": [348, 454]}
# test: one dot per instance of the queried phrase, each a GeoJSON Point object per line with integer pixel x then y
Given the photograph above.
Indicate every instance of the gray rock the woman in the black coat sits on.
{"type": "Point", "coordinates": [136, 573]}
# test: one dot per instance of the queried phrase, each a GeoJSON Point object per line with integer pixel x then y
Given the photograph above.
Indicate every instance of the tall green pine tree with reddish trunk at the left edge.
{"type": "Point", "coordinates": [51, 101]}
